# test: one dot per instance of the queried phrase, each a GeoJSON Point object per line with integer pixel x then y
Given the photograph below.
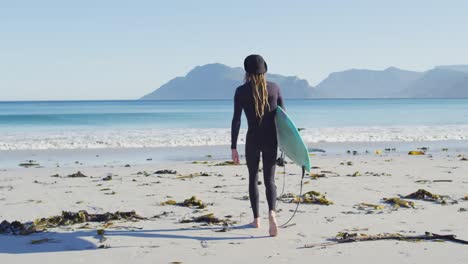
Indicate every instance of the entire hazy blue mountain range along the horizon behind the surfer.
{"type": "Point", "coordinates": [218, 81]}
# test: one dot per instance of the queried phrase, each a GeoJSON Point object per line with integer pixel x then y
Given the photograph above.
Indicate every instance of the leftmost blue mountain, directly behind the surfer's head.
{"type": "Point", "coordinates": [218, 81]}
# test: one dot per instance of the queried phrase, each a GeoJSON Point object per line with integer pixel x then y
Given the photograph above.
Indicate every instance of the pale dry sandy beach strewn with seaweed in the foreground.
{"type": "Point", "coordinates": [345, 179]}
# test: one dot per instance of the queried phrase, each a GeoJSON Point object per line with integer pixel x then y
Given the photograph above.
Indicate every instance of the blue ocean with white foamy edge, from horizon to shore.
{"type": "Point", "coordinates": [137, 124]}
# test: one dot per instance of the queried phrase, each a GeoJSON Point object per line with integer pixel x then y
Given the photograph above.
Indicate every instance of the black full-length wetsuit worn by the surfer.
{"type": "Point", "coordinates": [261, 138]}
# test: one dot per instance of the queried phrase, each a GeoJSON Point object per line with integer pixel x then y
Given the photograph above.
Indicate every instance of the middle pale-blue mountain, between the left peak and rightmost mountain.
{"type": "Point", "coordinates": [356, 83]}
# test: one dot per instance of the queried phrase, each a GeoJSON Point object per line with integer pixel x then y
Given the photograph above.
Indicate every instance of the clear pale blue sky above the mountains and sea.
{"type": "Point", "coordinates": [72, 50]}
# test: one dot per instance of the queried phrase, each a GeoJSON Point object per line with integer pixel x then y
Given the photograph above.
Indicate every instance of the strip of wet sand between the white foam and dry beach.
{"type": "Point", "coordinates": [157, 155]}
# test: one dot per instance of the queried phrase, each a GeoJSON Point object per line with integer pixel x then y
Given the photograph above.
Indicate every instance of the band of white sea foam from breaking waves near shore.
{"type": "Point", "coordinates": [141, 138]}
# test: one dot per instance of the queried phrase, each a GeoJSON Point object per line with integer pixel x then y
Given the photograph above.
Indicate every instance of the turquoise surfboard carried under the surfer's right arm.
{"type": "Point", "coordinates": [290, 141]}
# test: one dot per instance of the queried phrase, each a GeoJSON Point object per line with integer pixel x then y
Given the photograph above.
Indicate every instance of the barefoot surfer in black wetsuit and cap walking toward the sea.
{"type": "Point", "coordinates": [259, 100]}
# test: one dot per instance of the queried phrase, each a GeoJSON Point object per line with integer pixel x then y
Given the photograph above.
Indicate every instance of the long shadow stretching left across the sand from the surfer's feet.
{"type": "Point", "coordinates": [81, 240]}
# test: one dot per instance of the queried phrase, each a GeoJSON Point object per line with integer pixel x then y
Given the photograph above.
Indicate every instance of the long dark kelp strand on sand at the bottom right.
{"type": "Point", "coordinates": [345, 237]}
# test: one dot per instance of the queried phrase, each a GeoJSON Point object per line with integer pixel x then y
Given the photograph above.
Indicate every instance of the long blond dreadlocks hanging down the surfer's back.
{"type": "Point", "coordinates": [259, 91]}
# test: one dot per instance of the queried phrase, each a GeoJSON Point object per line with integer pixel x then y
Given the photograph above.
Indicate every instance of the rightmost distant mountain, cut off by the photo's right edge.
{"type": "Point", "coordinates": [440, 82]}
